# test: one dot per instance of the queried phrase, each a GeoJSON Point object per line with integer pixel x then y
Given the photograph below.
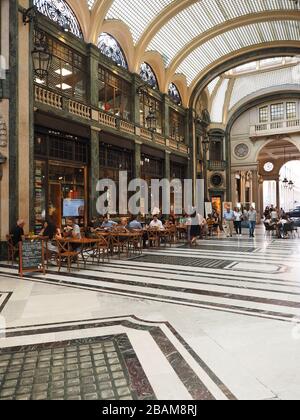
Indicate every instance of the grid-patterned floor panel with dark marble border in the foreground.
{"type": "Point", "coordinates": [83, 369]}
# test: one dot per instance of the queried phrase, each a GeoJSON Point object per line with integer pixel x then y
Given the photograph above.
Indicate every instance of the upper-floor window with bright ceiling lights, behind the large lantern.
{"type": "Point", "coordinates": [68, 71]}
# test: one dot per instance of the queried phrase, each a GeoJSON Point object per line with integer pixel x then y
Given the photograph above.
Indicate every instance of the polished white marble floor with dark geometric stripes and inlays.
{"type": "Point", "coordinates": [218, 322]}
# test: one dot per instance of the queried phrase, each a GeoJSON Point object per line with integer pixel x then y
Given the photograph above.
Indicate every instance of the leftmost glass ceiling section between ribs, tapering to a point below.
{"type": "Point", "coordinates": [137, 14]}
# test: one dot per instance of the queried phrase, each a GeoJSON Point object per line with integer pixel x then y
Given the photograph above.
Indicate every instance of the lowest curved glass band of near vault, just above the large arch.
{"type": "Point", "coordinates": [237, 39]}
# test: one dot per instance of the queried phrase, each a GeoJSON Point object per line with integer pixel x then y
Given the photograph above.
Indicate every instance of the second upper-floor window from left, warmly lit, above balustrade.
{"type": "Point", "coordinates": [114, 94]}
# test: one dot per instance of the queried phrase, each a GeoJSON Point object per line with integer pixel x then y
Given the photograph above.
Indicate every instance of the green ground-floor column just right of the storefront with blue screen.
{"type": "Point", "coordinates": [94, 171]}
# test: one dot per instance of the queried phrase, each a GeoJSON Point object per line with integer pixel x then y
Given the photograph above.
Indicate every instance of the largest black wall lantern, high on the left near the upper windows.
{"type": "Point", "coordinates": [41, 56]}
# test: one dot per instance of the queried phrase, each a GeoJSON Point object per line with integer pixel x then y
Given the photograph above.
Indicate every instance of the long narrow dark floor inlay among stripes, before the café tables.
{"type": "Point", "coordinates": [184, 261]}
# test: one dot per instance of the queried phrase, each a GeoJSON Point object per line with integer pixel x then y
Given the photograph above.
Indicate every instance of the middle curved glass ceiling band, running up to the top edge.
{"type": "Point", "coordinates": [205, 15]}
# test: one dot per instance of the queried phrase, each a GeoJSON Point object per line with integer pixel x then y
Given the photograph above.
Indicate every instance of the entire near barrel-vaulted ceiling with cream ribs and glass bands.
{"type": "Point", "coordinates": [185, 39]}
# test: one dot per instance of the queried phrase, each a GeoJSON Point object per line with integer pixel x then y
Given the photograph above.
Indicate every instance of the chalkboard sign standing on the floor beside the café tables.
{"type": "Point", "coordinates": [32, 256]}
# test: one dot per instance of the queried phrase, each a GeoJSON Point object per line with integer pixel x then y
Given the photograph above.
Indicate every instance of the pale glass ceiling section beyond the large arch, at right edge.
{"type": "Point", "coordinates": [244, 86]}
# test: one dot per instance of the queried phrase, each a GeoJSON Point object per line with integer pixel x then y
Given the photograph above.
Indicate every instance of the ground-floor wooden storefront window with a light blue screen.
{"type": "Point", "coordinates": [60, 178]}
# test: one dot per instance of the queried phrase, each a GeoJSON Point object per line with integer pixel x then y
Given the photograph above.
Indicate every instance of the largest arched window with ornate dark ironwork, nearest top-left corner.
{"type": "Point", "coordinates": [61, 13]}
